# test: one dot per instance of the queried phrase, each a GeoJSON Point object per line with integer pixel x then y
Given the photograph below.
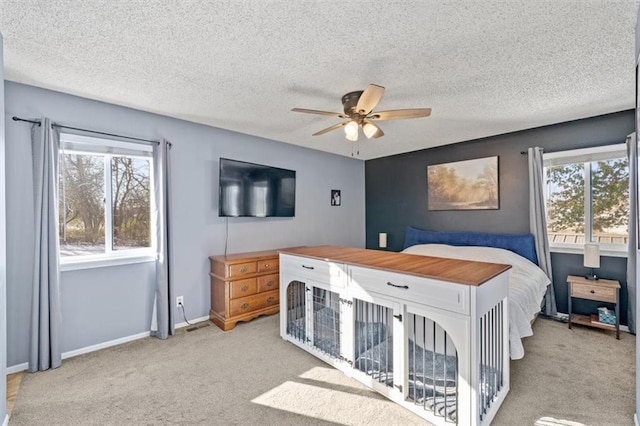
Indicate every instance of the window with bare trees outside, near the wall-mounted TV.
{"type": "Point", "coordinates": [104, 198]}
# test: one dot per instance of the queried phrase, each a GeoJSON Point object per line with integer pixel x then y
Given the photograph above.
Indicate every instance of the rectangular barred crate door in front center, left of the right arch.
{"type": "Point", "coordinates": [373, 341]}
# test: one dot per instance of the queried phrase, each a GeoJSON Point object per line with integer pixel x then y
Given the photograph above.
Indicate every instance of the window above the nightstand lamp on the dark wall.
{"type": "Point", "coordinates": [587, 197]}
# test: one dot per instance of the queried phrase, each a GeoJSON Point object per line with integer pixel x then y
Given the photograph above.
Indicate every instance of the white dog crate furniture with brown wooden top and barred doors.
{"type": "Point", "coordinates": [428, 333]}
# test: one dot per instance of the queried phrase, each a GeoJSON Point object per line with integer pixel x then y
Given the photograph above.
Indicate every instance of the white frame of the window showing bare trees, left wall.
{"type": "Point", "coordinates": [109, 148]}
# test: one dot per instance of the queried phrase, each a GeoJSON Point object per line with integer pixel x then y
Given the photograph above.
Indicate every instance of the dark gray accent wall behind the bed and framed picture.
{"type": "Point", "coordinates": [396, 189]}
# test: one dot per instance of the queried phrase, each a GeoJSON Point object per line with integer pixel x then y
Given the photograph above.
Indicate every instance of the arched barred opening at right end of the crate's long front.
{"type": "Point", "coordinates": [432, 368]}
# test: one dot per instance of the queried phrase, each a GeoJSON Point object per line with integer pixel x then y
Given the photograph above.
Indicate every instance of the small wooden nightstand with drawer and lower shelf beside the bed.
{"type": "Point", "coordinates": [600, 290]}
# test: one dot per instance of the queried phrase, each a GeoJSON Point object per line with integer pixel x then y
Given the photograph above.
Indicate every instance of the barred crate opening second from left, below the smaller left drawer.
{"type": "Point", "coordinates": [326, 321]}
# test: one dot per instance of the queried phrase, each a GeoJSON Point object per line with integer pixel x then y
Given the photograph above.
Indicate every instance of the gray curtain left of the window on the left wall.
{"type": "Point", "coordinates": [46, 314]}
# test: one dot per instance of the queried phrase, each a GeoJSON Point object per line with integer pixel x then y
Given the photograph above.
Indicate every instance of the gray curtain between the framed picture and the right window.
{"type": "Point", "coordinates": [538, 224]}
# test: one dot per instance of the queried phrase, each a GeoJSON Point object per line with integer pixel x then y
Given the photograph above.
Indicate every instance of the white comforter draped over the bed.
{"type": "Point", "coordinates": [527, 284]}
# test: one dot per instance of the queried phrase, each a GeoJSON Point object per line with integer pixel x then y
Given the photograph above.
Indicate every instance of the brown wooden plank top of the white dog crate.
{"type": "Point", "coordinates": [451, 270]}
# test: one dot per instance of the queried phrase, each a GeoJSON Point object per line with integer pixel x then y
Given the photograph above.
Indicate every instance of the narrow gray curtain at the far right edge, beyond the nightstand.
{"type": "Point", "coordinates": [632, 151]}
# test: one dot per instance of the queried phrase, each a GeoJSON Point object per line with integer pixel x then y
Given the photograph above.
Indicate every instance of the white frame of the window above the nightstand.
{"type": "Point", "coordinates": [586, 156]}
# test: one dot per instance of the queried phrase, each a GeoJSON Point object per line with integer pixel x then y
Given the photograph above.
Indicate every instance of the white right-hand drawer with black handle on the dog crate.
{"type": "Point", "coordinates": [438, 294]}
